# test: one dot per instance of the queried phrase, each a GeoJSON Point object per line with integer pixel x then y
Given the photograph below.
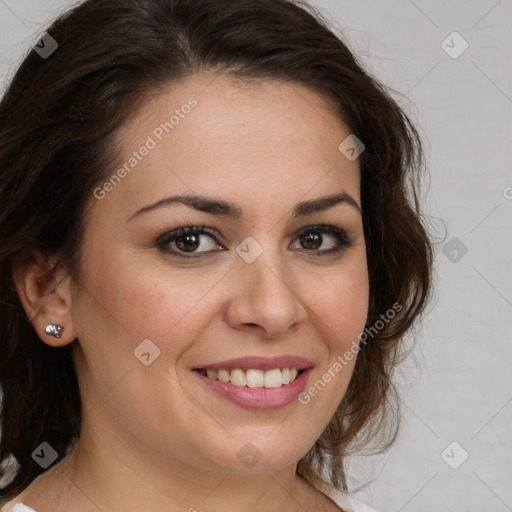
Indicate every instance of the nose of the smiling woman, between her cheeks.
{"type": "Point", "coordinates": [265, 296]}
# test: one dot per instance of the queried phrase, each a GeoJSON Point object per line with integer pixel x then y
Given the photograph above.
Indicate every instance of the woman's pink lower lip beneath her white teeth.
{"type": "Point", "coordinates": [259, 398]}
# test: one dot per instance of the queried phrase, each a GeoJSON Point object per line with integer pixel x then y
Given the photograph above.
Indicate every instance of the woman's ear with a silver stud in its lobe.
{"type": "Point", "coordinates": [45, 293]}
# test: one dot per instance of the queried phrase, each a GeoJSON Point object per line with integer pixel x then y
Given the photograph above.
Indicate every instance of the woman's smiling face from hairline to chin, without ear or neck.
{"type": "Point", "coordinates": [258, 282]}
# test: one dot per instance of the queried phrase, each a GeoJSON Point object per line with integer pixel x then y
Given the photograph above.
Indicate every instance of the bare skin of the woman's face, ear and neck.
{"type": "Point", "coordinates": [155, 437]}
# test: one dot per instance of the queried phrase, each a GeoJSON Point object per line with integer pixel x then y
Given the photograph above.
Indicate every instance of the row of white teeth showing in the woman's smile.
{"type": "Point", "coordinates": [254, 378]}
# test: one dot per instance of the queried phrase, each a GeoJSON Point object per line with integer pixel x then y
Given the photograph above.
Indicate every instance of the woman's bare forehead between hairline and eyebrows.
{"type": "Point", "coordinates": [208, 134]}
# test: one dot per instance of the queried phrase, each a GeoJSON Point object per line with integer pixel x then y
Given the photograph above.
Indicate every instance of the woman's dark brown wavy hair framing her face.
{"type": "Point", "coordinates": [59, 118]}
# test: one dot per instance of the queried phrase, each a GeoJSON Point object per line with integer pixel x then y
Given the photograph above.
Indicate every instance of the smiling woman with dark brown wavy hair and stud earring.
{"type": "Point", "coordinates": [211, 251]}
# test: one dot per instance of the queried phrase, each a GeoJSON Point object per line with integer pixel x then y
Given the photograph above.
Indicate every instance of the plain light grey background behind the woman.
{"type": "Point", "coordinates": [456, 386]}
